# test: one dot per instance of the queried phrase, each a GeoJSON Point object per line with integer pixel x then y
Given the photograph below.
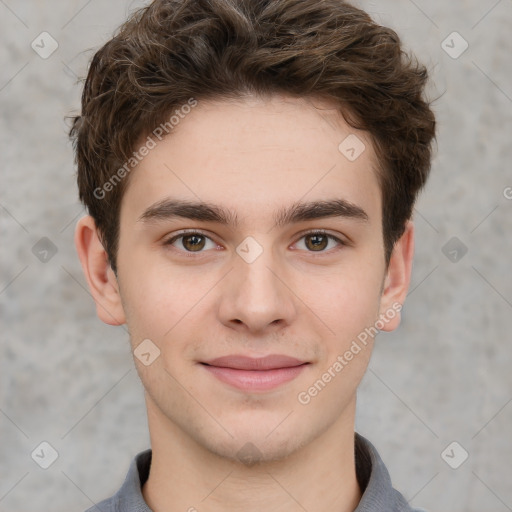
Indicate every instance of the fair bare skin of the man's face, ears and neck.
{"type": "Point", "coordinates": [253, 156]}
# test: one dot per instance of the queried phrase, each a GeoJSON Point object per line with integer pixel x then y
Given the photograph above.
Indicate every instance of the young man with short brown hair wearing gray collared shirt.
{"type": "Point", "coordinates": [250, 169]}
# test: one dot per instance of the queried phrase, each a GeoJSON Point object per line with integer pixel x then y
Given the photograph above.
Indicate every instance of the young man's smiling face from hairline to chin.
{"type": "Point", "coordinates": [277, 269]}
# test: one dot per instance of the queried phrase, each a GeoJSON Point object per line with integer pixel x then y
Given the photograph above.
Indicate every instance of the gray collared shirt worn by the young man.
{"type": "Point", "coordinates": [372, 475]}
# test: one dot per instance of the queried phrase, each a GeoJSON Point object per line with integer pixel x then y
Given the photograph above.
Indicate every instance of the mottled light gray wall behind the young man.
{"type": "Point", "coordinates": [443, 376]}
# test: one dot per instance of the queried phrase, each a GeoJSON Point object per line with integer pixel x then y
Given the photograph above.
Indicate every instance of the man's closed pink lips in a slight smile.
{"type": "Point", "coordinates": [255, 374]}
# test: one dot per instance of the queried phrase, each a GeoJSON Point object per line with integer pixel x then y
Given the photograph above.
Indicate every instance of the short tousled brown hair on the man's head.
{"type": "Point", "coordinates": [174, 50]}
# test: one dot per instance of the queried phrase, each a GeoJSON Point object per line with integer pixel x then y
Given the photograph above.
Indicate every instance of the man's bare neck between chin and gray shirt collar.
{"type": "Point", "coordinates": [184, 476]}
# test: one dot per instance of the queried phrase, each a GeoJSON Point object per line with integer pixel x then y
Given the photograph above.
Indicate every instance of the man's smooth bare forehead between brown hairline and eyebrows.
{"type": "Point", "coordinates": [253, 154]}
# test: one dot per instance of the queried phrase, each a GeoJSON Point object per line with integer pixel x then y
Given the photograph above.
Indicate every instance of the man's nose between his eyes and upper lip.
{"type": "Point", "coordinates": [256, 297]}
